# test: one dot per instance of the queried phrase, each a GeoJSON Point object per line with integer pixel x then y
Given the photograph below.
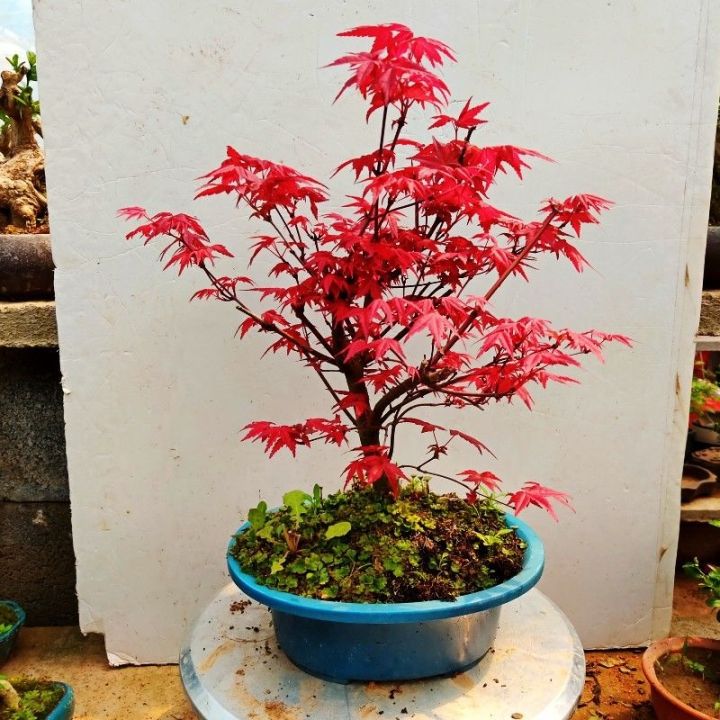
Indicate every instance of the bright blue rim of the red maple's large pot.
{"type": "Point", "coordinates": [379, 613]}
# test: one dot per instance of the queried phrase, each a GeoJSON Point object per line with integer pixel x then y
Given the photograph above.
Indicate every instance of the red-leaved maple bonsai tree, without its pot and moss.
{"type": "Point", "coordinates": [382, 300]}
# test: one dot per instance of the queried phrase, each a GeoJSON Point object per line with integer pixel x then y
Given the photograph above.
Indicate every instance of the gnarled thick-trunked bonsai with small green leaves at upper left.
{"type": "Point", "coordinates": [23, 206]}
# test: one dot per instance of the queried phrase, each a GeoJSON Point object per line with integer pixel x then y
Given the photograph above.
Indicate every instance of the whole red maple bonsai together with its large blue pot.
{"type": "Point", "coordinates": [389, 304]}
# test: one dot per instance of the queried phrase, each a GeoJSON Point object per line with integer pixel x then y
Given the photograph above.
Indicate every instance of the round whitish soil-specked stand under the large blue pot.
{"type": "Point", "coordinates": [232, 669]}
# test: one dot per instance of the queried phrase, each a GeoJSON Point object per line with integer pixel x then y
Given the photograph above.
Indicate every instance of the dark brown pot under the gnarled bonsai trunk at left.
{"type": "Point", "coordinates": [26, 267]}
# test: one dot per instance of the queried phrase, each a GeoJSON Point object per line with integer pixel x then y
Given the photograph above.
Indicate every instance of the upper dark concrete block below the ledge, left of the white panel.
{"type": "Point", "coordinates": [33, 465]}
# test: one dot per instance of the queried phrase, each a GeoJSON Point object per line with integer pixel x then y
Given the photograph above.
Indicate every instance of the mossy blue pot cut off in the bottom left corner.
{"type": "Point", "coordinates": [24, 699]}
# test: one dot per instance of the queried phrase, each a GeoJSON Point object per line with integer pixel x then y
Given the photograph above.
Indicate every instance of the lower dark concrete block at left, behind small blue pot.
{"type": "Point", "coordinates": [37, 563]}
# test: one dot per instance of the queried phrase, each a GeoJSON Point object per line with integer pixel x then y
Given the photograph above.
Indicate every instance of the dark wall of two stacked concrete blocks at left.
{"type": "Point", "coordinates": [37, 562]}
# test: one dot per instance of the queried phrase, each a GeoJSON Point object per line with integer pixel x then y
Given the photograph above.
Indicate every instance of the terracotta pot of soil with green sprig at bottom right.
{"type": "Point", "coordinates": [684, 673]}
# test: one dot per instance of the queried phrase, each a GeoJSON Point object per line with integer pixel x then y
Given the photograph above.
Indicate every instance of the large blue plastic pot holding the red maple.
{"type": "Point", "coordinates": [346, 642]}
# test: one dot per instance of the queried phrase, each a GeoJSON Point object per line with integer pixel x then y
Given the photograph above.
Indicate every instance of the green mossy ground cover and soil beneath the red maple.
{"type": "Point", "coordinates": [422, 546]}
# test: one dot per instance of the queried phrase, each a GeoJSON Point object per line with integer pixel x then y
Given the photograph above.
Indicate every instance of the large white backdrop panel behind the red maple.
{"type": "Point", "coordinates": [141, 97]}
